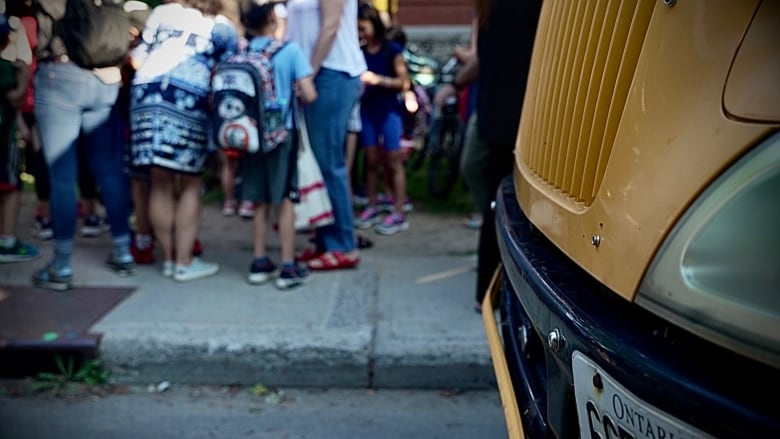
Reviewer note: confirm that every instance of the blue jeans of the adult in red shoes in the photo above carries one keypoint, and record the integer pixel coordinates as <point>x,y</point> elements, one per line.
<point>327,119</point>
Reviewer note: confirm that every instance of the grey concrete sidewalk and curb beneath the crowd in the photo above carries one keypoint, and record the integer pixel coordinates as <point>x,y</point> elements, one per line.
<point>402,319</point>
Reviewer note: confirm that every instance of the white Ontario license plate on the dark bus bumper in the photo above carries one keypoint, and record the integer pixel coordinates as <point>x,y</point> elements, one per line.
<point>607,410</point>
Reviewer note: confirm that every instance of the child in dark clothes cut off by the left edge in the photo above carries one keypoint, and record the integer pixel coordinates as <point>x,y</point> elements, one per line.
<point>13,87</point>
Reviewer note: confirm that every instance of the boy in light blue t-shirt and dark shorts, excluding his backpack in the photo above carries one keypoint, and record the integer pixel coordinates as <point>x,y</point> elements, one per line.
<point>269,178</point>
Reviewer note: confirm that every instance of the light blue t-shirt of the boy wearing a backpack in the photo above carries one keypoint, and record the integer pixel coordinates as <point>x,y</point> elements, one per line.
<point>290,65</point>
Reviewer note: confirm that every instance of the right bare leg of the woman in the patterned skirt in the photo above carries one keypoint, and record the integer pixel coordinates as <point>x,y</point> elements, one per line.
<point>187,220</point>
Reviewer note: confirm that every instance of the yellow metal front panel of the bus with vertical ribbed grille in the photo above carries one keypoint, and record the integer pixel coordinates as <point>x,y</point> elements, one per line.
<point>651,152</point>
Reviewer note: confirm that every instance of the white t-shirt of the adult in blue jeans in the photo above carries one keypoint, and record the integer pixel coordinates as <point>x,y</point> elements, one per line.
<point>303,27</point>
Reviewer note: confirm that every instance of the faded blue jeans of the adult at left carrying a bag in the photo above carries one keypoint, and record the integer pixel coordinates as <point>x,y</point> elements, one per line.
<point>69,102</point>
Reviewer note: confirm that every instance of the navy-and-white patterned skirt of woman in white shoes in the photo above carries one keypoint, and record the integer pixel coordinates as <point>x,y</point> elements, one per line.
<point>169,127</point>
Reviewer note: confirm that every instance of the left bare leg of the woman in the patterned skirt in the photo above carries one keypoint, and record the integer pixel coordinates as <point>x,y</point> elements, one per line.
<point>162,208</point>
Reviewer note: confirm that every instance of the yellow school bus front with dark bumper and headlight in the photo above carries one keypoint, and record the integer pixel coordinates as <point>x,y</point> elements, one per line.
<point>639,288</point>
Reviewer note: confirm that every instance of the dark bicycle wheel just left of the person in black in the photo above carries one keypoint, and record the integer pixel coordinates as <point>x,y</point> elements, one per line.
<point>444,162</point>
